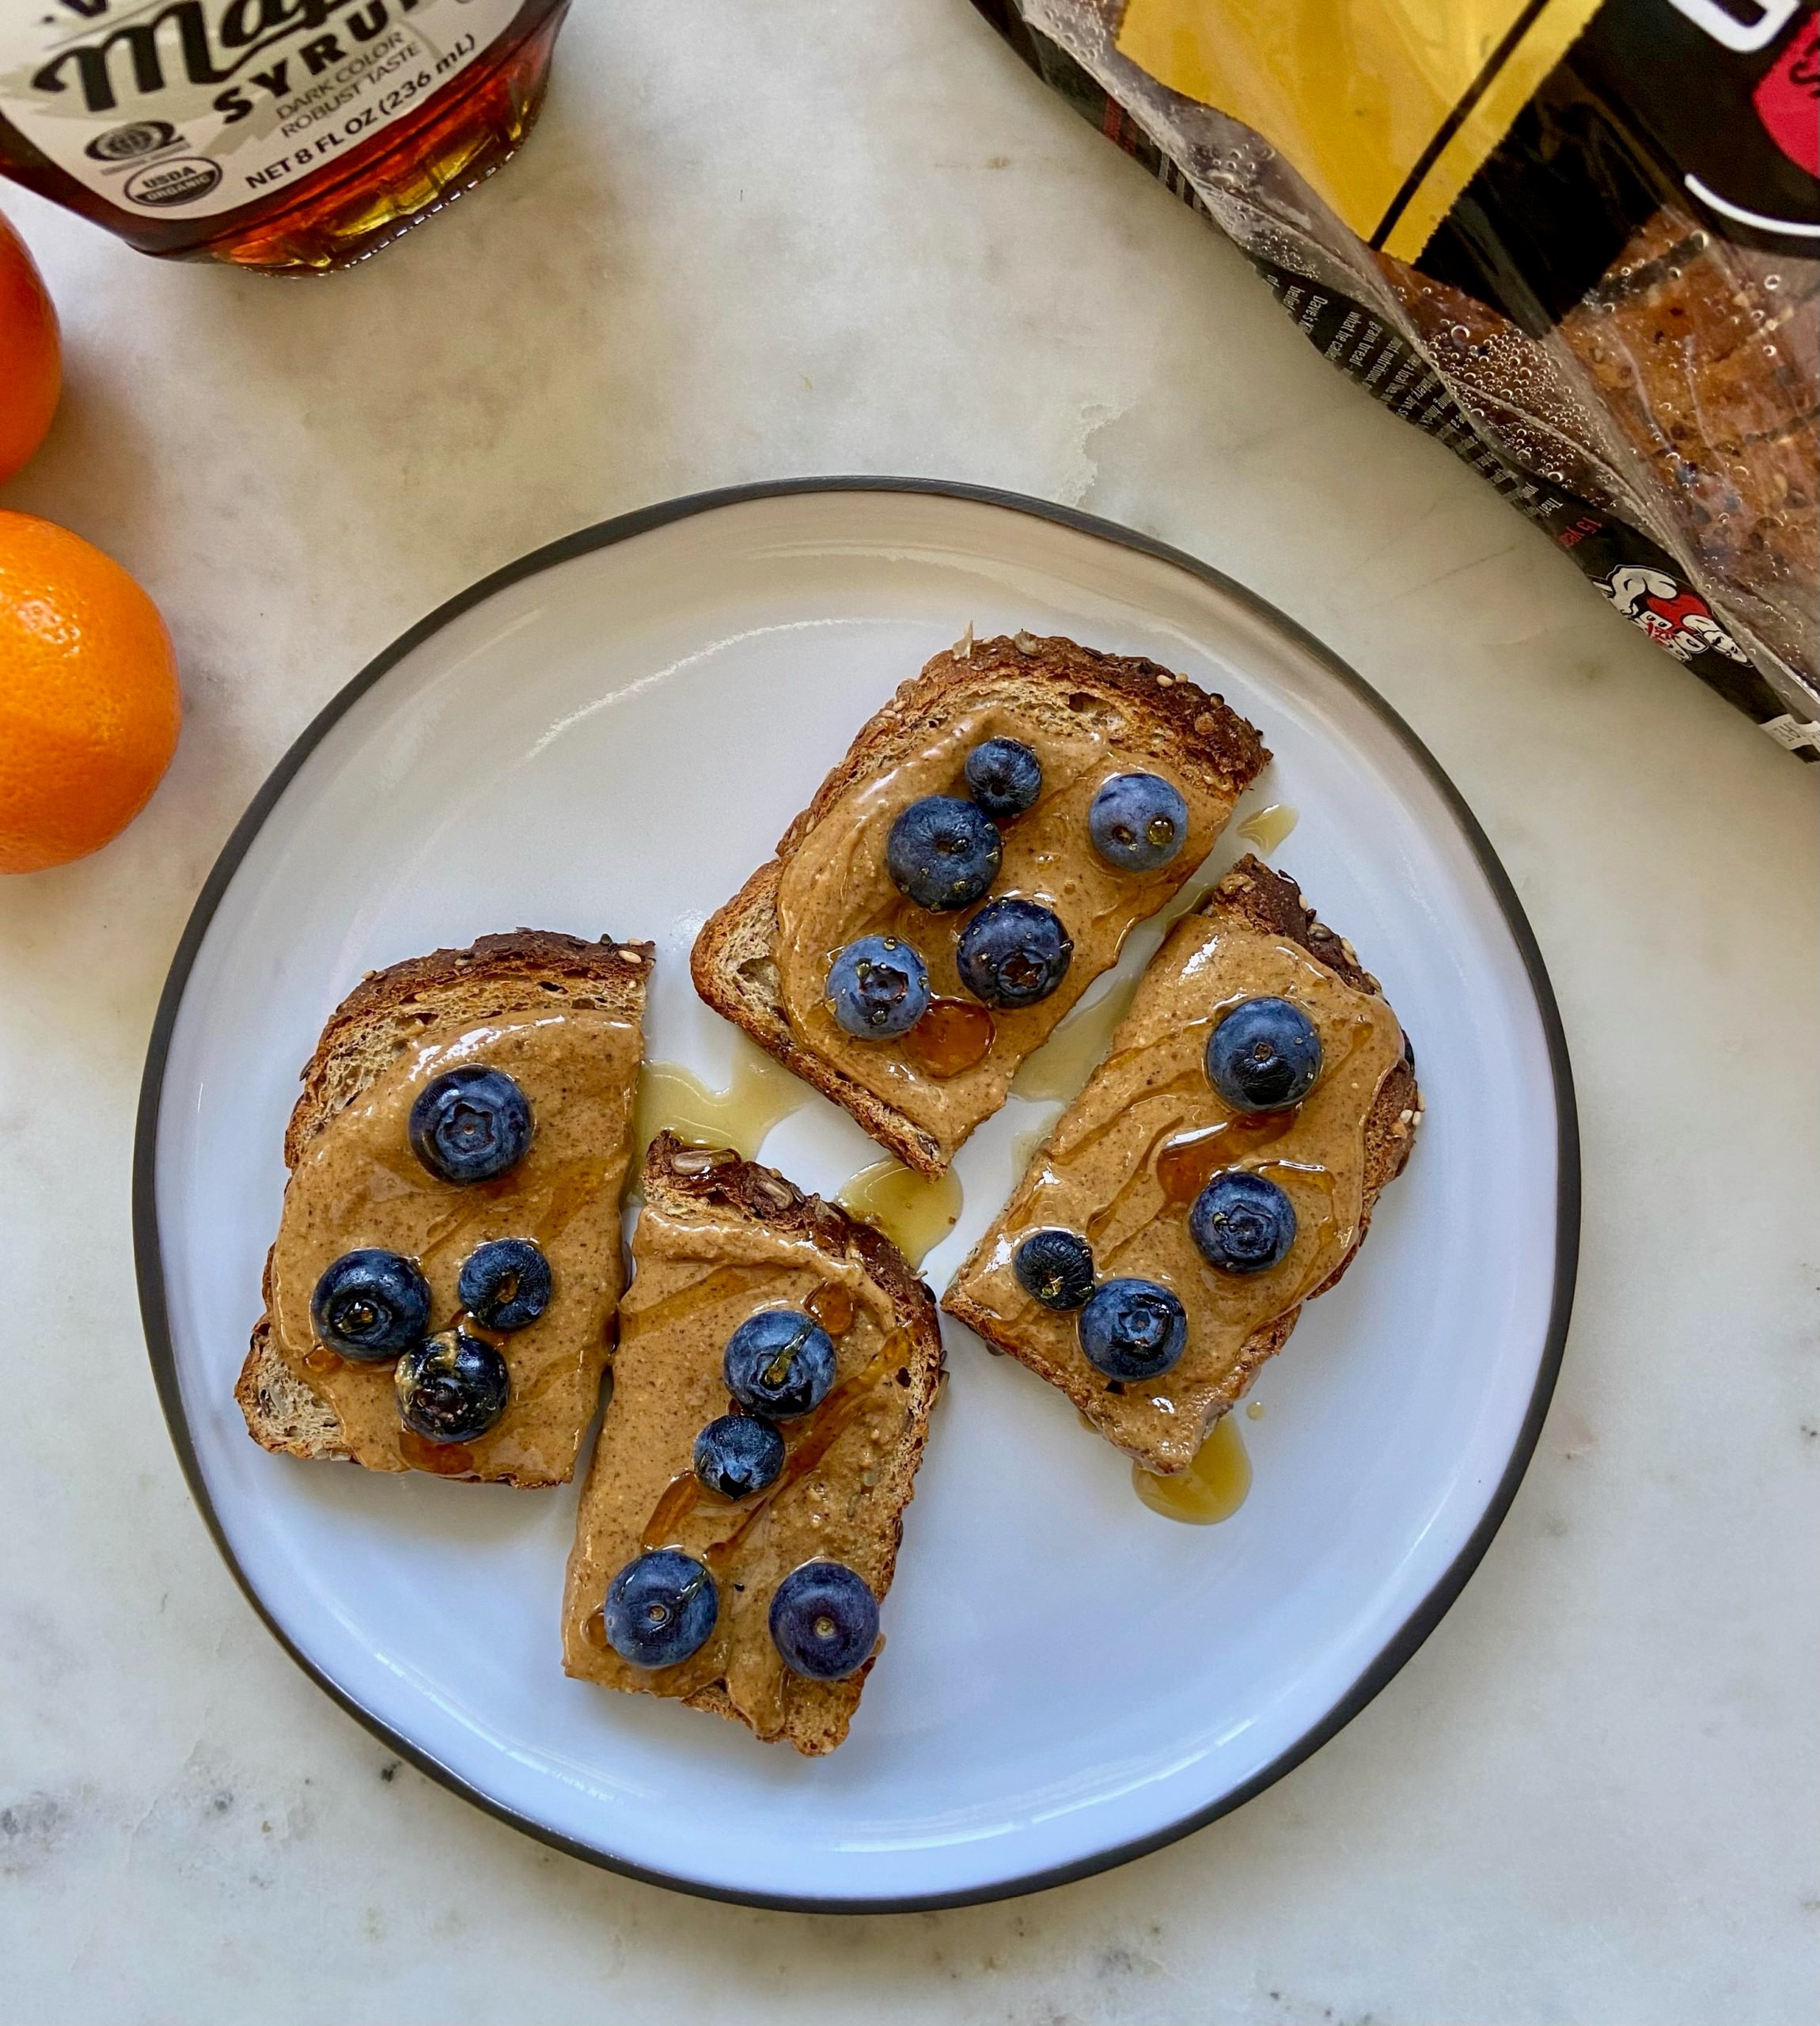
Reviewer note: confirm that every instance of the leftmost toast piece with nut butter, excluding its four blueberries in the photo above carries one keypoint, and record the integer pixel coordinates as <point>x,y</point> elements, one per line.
<point>564,1018</point>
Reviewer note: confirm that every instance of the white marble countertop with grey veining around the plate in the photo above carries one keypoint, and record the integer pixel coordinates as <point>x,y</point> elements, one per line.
<point>761,242</point>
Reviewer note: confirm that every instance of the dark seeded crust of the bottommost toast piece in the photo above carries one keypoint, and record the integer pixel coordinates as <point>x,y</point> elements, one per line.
<point>680,1178</point>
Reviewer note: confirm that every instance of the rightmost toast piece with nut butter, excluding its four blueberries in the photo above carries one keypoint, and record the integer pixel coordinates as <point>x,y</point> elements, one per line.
<point>1136,1148</point>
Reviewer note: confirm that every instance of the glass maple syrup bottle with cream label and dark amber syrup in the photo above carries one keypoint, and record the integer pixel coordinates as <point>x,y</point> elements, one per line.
<point>293,137</point>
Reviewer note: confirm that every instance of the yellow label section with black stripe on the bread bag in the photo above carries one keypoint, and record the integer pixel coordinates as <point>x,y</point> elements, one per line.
<point>1387,108</point>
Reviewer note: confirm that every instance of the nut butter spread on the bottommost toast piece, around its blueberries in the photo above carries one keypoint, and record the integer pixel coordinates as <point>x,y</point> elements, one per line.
<point>696,1277</point>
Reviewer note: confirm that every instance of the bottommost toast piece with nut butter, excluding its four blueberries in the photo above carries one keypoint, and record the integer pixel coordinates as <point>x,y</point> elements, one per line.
<point>718,1241</point>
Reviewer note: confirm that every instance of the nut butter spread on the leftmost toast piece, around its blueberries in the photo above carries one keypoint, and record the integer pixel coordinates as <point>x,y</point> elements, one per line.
<point>360,1184</point>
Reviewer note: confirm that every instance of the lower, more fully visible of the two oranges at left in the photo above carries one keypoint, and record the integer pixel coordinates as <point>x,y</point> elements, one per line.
<point>88,696</point>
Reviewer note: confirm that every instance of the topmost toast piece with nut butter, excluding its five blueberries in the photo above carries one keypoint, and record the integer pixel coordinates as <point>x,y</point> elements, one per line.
<point>763,957</point>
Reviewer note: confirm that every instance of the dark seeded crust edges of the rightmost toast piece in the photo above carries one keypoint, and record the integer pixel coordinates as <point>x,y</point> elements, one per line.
<point>1270,903</point>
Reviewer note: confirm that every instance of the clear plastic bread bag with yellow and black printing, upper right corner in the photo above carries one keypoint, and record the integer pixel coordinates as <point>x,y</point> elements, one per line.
<point>1578,242</point>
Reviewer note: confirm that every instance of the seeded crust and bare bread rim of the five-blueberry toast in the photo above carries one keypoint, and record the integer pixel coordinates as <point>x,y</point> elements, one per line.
<point>735,957</point>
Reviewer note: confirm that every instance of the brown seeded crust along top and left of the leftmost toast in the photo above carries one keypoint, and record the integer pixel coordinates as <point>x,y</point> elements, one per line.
<point>368,1032</point>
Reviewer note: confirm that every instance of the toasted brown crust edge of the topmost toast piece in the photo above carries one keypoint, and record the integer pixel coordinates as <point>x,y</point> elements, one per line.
<point>1207,732</point>
